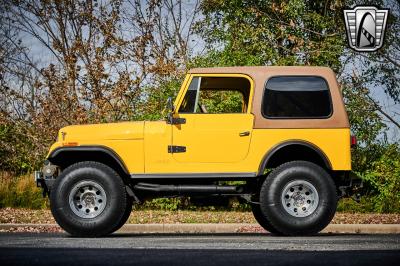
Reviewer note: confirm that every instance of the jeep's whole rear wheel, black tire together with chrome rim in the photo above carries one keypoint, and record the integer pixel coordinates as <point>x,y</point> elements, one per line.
<point>299,198</point>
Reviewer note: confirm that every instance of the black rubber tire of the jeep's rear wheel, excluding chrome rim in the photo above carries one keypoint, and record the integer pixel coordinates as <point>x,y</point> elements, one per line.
<point>271,202</point>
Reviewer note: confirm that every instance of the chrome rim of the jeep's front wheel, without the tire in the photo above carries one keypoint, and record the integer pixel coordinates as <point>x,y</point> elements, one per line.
<point>87,199</point>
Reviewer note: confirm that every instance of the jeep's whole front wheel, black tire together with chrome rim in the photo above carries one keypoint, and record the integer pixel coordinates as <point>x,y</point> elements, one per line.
<point>88,199</point>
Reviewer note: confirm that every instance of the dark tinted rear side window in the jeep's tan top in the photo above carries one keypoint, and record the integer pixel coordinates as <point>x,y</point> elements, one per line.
<point>296,97</point>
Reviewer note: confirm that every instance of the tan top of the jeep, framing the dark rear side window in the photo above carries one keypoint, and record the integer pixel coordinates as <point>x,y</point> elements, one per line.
<point>260,74</point>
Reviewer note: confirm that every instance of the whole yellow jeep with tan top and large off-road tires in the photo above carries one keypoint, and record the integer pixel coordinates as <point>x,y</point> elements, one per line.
<point>282,131</point>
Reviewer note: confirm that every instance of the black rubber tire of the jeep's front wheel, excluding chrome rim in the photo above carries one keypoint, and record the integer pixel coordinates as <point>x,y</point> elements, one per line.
<point>115,204</point>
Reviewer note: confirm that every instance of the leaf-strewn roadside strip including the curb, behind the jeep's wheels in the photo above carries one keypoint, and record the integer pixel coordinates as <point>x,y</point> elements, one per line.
<point>40,221</point>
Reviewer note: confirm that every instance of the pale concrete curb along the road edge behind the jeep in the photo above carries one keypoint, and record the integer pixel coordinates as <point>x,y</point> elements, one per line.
<point>226,228</point>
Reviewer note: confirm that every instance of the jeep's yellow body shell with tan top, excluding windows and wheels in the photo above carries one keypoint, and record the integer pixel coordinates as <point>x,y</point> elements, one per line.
<point>218,145</point>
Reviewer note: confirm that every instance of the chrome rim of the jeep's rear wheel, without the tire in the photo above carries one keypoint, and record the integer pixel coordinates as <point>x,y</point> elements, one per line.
<point>300,198</point>
